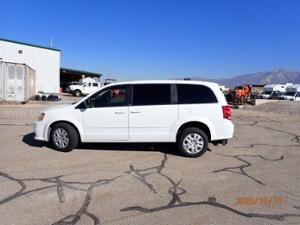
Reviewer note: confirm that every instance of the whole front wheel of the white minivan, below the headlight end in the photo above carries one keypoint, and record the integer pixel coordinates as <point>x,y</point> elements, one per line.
<point>64,137</point>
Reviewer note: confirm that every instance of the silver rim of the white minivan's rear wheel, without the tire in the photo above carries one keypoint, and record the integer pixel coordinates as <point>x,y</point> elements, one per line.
<point>193,143</point>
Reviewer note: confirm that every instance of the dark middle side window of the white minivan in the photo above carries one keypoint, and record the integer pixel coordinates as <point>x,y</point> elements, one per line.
<point>151,94</point>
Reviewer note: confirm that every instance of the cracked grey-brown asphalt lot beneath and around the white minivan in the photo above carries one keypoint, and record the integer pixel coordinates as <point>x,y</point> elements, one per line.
<point>252,180</point>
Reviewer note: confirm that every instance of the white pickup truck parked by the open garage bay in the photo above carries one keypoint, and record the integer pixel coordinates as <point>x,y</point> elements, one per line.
<point>85,86</point>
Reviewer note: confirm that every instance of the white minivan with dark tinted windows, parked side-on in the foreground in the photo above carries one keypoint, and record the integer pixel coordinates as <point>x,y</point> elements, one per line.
<point>189,113</point>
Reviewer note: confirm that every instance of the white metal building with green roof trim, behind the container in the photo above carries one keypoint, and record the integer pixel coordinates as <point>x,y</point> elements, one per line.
<point>45,61</point>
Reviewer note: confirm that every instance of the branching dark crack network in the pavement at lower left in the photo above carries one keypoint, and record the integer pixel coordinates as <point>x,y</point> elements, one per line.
<point>60,185</point>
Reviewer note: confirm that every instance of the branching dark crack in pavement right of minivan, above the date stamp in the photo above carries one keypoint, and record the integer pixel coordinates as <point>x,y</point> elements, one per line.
<point>241,168</point>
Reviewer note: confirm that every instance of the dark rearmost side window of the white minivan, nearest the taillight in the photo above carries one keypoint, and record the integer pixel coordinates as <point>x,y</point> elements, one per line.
<point>192,94</point>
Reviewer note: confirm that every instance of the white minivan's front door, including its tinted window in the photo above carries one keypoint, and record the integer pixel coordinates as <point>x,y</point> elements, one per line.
<point>106,118</point>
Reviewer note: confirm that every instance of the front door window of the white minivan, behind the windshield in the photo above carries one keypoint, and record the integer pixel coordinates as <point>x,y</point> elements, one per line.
<point>110,97</point>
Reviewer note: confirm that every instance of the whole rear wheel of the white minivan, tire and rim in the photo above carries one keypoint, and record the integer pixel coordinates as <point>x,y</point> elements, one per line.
<point>193,142</point>
